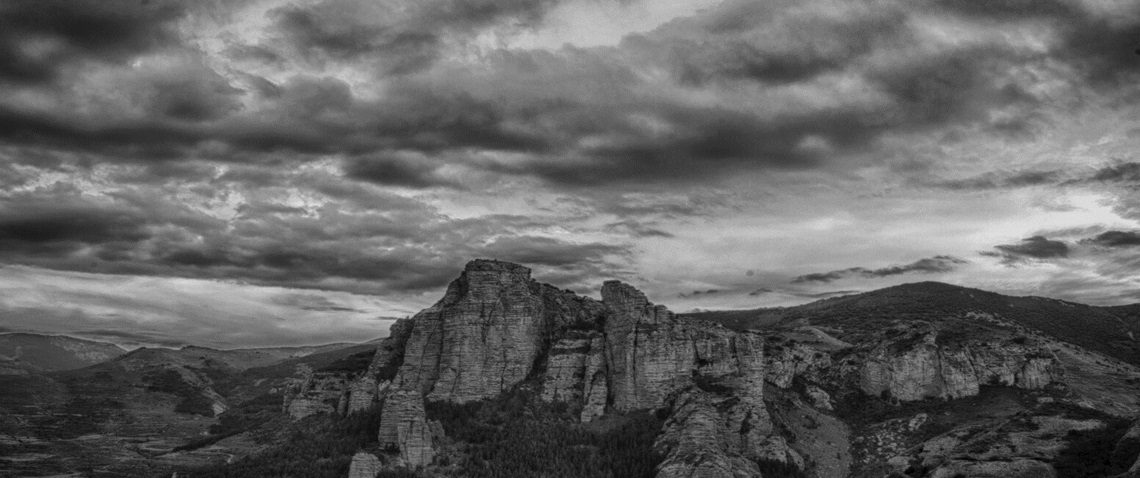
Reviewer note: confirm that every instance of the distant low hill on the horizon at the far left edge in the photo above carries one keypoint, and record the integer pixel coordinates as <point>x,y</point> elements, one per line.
<point>30,353</point>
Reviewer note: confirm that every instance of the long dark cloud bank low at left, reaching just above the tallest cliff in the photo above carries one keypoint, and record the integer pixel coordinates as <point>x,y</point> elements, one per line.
<point>368,241</point>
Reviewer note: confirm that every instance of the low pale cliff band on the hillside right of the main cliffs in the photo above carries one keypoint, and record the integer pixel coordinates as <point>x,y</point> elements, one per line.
<point>927,370</point>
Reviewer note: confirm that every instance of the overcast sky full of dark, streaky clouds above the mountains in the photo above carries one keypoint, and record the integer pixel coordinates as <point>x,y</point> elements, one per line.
<point>263,173</point>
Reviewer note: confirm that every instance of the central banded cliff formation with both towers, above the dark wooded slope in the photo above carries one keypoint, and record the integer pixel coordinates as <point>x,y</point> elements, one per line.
<point>496,328</point>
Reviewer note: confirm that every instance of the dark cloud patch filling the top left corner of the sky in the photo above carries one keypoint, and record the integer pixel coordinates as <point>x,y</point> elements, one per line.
<point>38,38</point>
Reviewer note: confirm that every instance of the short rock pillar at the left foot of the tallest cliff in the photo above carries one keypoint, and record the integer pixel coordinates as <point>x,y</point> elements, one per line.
<point>404,428</point>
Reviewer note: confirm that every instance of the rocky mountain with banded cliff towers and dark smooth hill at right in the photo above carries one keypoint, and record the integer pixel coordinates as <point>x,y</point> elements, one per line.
<point>918,380</point>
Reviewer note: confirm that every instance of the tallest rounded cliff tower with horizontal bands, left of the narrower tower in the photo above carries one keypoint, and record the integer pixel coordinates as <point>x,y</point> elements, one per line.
<point>485,335</point>
